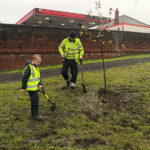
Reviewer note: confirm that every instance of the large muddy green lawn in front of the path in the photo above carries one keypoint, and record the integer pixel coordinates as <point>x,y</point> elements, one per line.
<point>81,121</point>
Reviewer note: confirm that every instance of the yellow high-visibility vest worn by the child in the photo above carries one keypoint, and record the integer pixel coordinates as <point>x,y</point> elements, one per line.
<point>34,79</point>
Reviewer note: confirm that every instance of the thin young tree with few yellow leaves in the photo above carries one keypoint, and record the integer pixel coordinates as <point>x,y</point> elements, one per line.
<point>102,38</point>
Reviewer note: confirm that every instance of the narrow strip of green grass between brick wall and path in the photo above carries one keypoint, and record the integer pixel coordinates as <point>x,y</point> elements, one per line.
<point>85,62</point>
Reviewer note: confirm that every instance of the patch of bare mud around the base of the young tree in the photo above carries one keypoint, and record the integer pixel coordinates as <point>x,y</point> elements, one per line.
<point>106,103</point>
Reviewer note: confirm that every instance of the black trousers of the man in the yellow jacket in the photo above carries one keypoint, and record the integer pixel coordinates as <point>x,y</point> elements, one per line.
<point>74,70</point>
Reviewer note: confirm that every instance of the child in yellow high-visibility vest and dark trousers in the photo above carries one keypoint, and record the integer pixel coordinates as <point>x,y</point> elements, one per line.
<point>31,81</point>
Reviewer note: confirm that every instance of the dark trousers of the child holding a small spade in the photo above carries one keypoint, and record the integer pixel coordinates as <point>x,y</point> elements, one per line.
<point>34,97</point>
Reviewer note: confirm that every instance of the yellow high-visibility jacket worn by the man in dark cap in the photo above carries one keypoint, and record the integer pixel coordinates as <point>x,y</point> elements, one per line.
<point>71,50</point>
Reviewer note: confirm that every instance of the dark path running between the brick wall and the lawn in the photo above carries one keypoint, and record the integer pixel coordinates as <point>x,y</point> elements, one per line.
<point>5,78</point>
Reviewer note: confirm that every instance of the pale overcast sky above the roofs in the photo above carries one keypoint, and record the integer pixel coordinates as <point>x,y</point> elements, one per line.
<point>12,11</point>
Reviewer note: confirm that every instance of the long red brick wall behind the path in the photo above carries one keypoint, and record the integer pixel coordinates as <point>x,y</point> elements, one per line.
<point>19,42</point>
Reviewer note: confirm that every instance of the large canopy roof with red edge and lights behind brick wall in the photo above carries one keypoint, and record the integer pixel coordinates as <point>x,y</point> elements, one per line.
<point>53,18</point>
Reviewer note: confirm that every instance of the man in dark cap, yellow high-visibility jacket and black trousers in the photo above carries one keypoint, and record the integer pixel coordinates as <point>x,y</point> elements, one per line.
<point>71,51</point>
